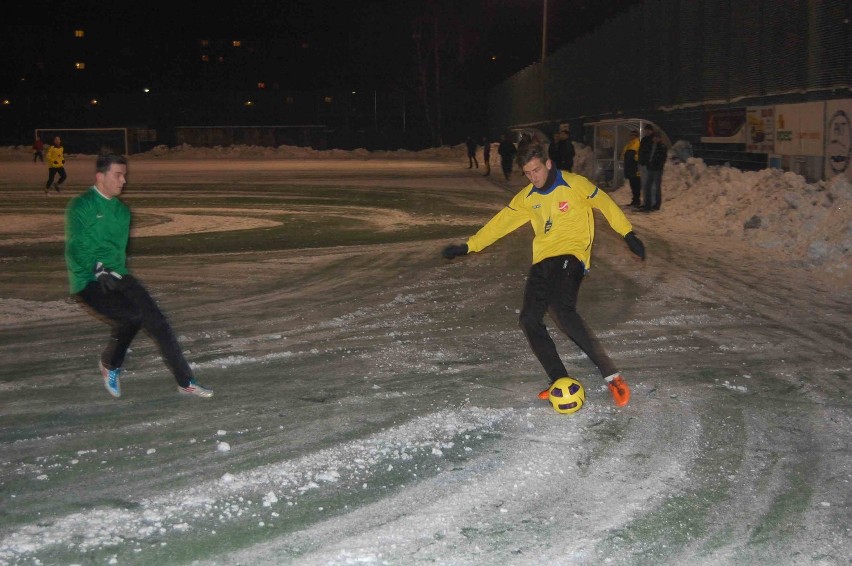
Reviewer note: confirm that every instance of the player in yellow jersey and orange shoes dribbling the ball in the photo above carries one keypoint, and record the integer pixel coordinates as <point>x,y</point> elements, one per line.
<point>560,206</point>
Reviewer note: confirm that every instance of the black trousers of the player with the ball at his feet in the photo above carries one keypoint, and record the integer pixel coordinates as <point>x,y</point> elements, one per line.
<point>552,287</point>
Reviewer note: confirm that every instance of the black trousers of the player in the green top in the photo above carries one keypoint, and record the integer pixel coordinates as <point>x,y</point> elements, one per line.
<point>127,310</point>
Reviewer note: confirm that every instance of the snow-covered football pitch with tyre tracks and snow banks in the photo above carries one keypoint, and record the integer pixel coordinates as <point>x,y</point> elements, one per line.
<point>376,404</point>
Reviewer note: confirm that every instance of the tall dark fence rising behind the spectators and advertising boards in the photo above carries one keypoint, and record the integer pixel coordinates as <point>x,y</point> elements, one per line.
<point>669,60</point>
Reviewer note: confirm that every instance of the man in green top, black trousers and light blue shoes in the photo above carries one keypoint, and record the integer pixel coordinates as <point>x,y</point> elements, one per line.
<point>97,229</point>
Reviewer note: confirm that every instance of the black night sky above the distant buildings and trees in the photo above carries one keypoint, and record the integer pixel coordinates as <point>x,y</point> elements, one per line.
<point>301,43</point>
